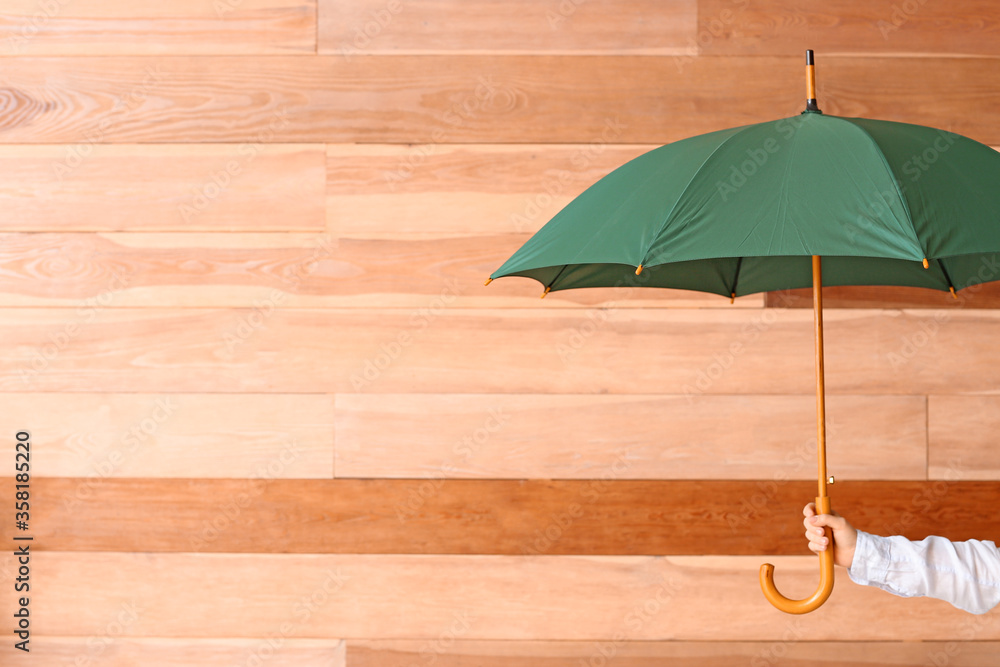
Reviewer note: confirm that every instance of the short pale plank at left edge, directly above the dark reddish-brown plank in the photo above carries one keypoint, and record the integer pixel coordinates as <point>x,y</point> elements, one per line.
<point>99,436</point>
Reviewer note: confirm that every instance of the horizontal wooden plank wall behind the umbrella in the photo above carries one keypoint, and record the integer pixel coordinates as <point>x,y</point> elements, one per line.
<point>277,419</point>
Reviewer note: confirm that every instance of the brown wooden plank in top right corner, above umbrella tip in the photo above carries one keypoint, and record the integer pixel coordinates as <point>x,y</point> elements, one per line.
<point>847,27</point>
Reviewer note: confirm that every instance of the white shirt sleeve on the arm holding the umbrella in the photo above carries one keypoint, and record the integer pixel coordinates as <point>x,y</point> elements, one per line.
<point>965,574</point>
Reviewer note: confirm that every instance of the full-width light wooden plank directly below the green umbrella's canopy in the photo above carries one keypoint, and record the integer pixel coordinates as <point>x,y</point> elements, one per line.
<point>441,350</point>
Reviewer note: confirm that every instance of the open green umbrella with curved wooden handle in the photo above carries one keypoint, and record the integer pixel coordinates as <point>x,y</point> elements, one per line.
<point>754,208</point>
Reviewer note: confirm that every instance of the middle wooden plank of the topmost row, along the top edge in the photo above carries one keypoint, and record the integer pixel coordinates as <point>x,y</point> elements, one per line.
<point>352,27</point>
